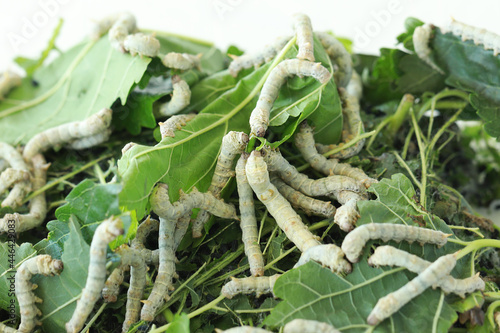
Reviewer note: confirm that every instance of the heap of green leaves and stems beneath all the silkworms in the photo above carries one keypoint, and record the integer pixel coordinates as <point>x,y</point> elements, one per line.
<point>430,174</point>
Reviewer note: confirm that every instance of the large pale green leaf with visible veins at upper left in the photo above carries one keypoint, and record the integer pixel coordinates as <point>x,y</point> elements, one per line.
<point>79,83</point>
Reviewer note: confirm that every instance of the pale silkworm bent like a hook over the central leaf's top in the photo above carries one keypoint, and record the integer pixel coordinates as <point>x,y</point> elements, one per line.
<point>259,119</point>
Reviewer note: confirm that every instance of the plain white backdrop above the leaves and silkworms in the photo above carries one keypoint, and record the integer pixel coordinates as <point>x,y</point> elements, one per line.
<point>26,25</point>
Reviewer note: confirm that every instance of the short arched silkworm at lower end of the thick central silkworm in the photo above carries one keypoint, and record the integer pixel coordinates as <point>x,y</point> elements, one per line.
<point>328,255</point>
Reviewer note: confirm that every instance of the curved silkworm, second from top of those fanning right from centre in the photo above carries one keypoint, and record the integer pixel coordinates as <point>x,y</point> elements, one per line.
<point>327,186</point>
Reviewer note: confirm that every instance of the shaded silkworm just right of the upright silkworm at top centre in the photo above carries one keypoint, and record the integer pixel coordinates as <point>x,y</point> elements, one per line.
<point>341,59</point>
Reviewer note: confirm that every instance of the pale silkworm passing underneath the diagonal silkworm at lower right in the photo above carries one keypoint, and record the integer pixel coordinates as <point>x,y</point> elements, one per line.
<point>391,256</point>
